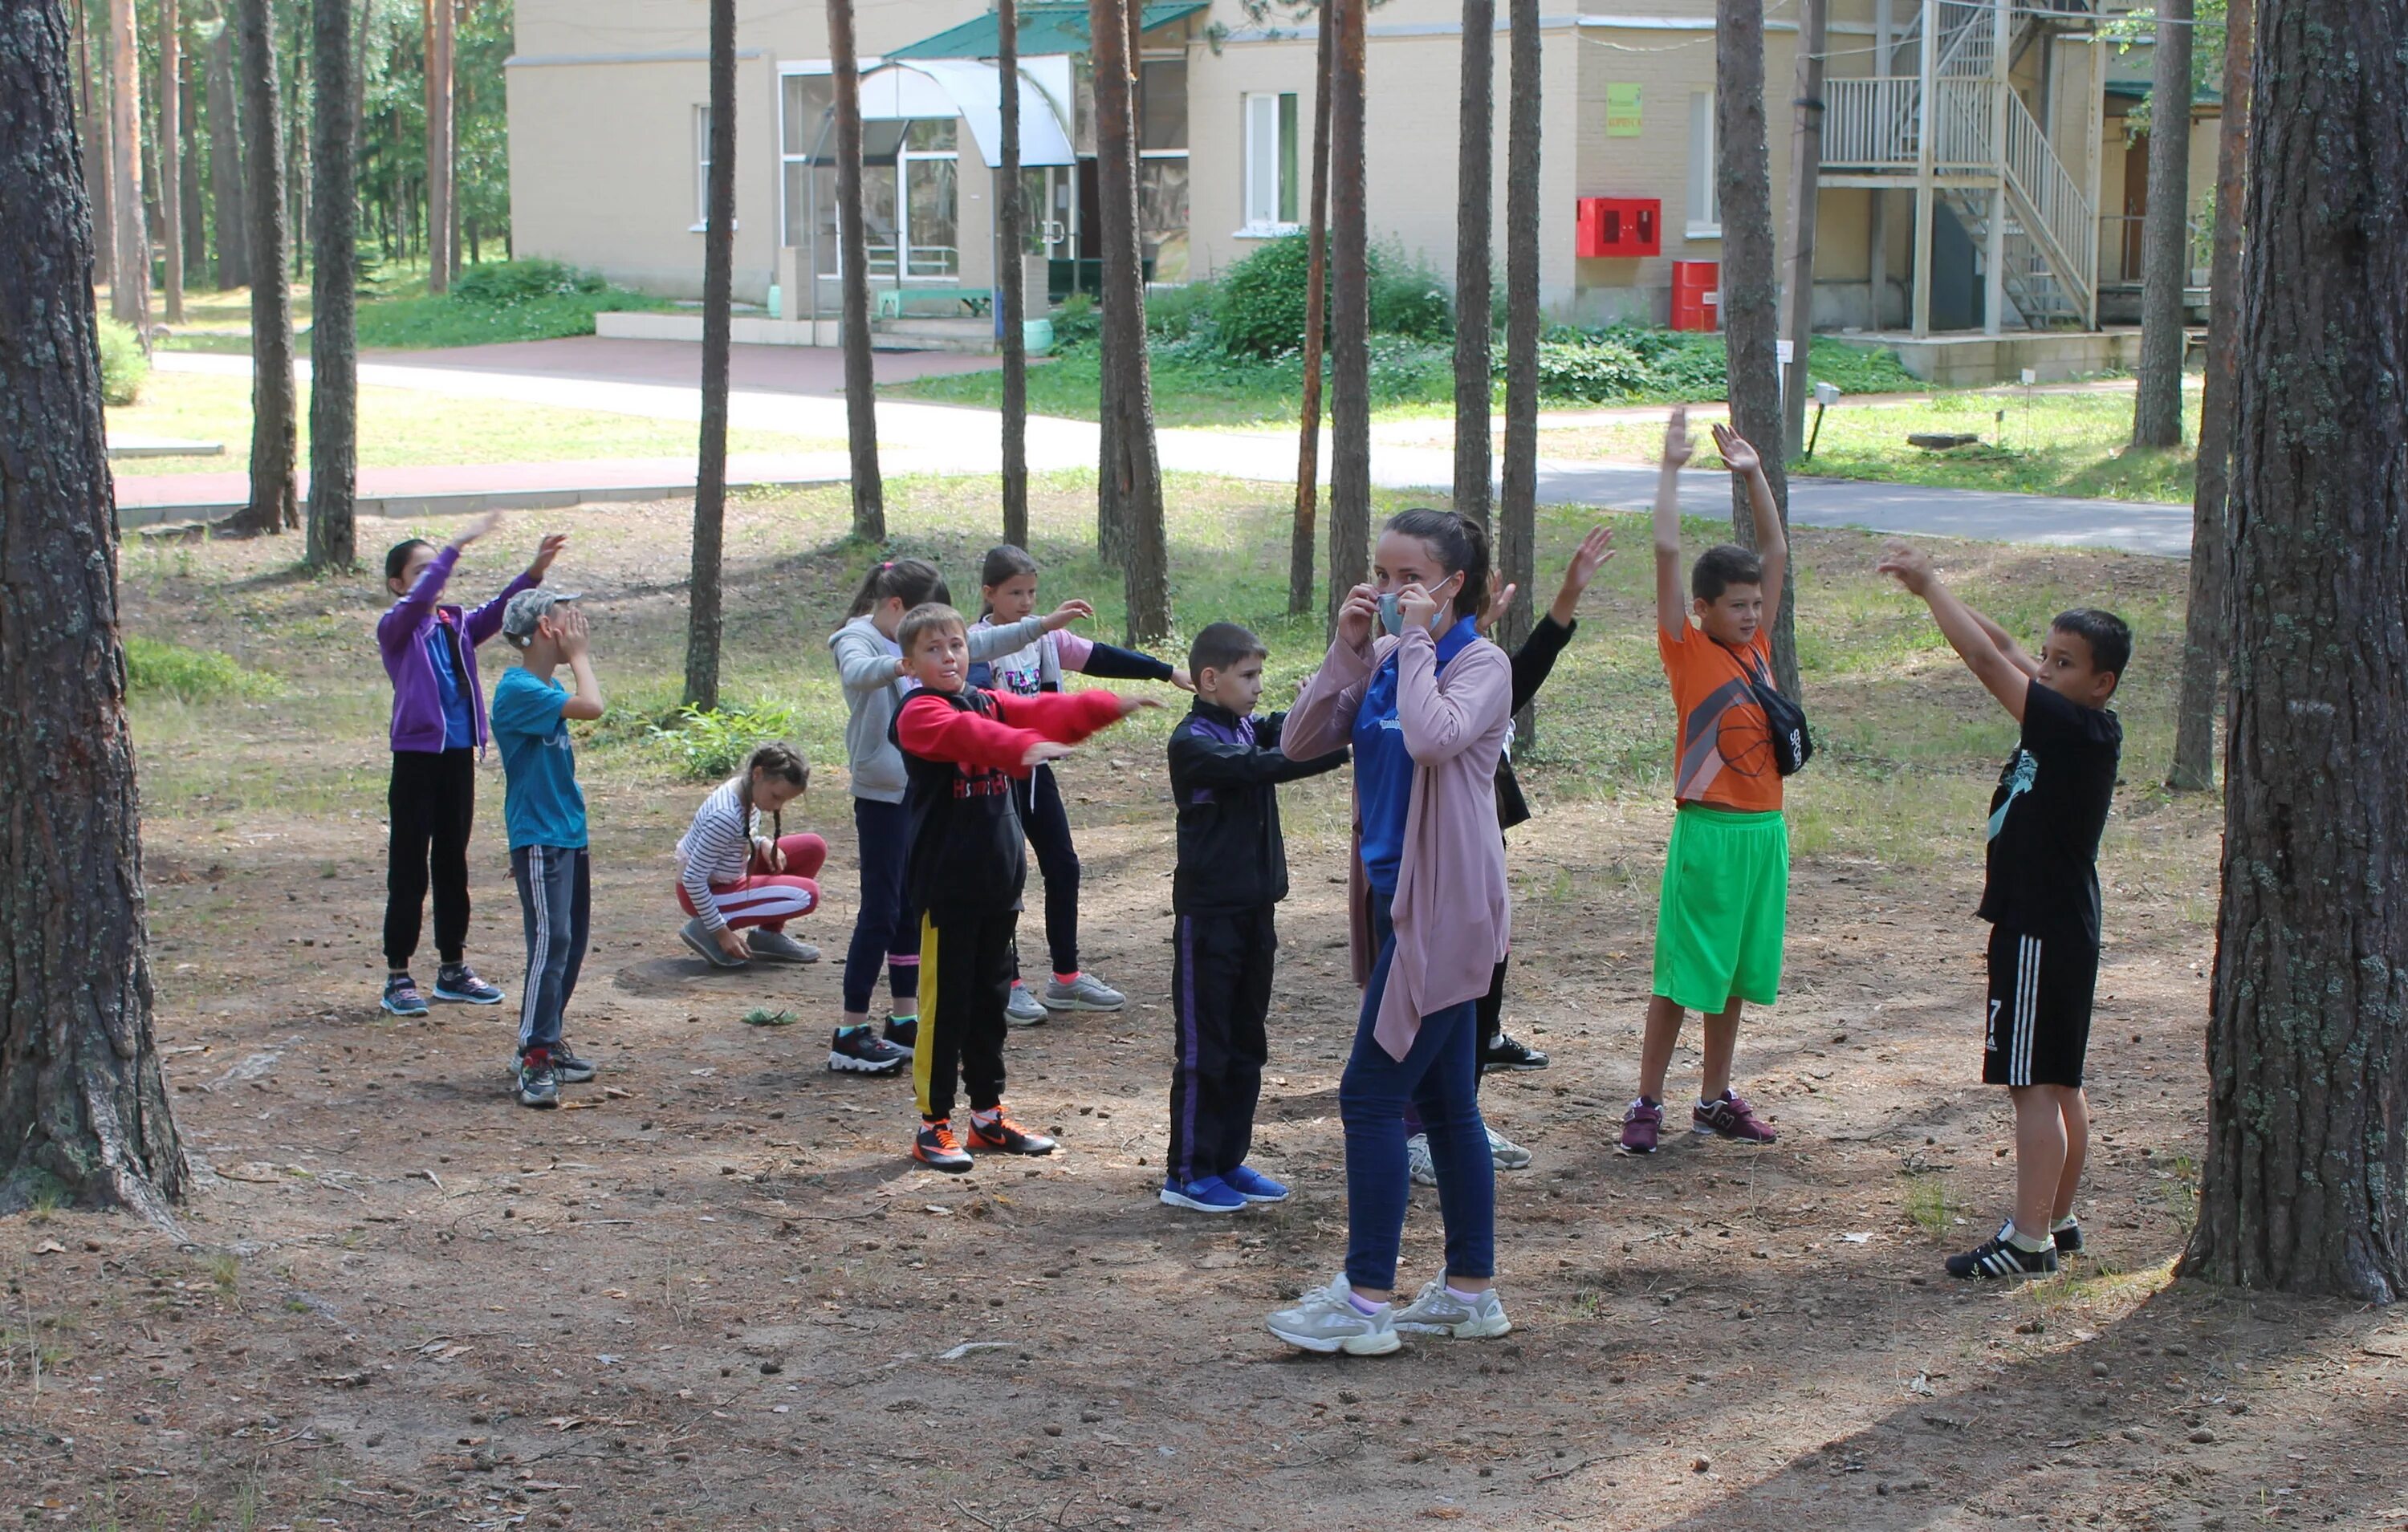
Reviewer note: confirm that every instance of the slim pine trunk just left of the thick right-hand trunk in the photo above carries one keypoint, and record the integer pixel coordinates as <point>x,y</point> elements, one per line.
<point>2207,625</point>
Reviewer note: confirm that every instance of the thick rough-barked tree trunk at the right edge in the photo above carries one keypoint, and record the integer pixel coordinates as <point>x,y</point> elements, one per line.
<point>2306,1184</point>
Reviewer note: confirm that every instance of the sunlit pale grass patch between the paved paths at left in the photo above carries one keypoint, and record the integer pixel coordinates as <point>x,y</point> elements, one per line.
<point>408,428</point>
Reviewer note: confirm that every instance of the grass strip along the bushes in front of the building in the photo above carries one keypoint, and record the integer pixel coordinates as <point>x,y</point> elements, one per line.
<point>1200,387</point>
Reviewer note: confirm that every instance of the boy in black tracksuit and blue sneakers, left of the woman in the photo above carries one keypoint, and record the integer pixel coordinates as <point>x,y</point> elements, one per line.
<point>1234,871</point>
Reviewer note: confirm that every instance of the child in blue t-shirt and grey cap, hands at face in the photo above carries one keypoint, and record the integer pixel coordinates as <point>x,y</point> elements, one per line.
<point>545,815</point>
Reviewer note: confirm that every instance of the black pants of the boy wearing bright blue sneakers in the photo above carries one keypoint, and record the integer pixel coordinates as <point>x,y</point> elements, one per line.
<point>1220,998</point>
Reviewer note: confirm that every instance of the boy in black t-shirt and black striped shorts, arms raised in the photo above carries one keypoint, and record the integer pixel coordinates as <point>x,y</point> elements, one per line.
<point>2041,897</point>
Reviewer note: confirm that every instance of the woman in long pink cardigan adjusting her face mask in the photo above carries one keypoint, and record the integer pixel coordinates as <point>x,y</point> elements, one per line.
<point>1427,712</point>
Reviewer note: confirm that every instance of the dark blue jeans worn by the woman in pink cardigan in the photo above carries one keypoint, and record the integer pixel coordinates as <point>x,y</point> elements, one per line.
<point>1439,1078</point>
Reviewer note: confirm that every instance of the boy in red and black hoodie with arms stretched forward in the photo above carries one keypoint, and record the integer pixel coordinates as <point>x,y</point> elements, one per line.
<point>962,748</point>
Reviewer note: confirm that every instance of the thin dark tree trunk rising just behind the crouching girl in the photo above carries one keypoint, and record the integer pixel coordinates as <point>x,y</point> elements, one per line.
<point>719,319</point>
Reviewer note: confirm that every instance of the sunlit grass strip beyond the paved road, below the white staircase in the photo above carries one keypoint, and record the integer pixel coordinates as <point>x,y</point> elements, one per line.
<point>2050,444</point>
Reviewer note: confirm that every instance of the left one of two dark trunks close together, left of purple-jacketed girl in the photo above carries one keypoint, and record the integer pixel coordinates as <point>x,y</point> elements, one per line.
<point>273,428</point>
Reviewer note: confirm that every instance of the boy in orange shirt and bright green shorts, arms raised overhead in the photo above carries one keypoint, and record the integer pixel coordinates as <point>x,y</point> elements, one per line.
<point>1728,866</point>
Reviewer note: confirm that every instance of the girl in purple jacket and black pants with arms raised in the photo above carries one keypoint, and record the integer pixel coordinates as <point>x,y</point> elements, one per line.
<point>437,738</point>
